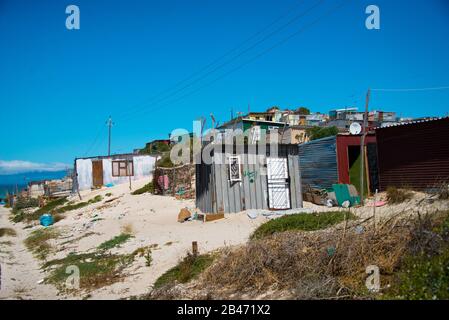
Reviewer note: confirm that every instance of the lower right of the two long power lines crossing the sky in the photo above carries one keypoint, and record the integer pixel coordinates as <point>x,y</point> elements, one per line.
<point>334,9</point>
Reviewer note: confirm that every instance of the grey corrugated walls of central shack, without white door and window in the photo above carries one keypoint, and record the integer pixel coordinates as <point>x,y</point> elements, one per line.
<point>215,193</point>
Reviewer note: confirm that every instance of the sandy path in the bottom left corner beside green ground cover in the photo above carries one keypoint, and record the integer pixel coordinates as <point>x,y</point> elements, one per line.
<point>20,273</point>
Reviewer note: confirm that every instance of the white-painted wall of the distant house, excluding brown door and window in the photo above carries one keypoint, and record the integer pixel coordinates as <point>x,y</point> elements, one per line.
<point>143,168</point>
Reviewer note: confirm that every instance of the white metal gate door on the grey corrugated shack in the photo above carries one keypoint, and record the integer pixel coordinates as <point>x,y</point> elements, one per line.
<point>278,184</point>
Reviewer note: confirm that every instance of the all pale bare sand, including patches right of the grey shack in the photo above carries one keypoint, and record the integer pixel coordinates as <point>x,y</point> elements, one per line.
<point>153,220</point>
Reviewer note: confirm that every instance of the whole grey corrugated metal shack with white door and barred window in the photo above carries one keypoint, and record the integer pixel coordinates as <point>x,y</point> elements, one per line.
<point>248,177</point>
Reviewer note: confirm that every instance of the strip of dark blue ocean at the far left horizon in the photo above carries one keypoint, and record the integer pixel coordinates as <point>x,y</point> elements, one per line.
<point>8,182</point>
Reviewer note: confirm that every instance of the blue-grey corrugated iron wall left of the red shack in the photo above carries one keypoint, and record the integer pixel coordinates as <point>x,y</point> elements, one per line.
<point>318,163</point>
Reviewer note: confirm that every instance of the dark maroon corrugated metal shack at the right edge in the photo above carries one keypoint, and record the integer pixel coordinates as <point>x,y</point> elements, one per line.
<point>414,155</point>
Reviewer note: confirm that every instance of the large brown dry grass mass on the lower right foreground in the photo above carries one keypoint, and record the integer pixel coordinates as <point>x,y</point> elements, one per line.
<point>321,264</point>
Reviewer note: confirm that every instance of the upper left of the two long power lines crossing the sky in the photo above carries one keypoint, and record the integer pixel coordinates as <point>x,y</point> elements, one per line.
<point>227,62</point>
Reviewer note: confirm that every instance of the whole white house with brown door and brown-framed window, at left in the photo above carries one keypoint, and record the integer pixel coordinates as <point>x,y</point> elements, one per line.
<point>95,172</point>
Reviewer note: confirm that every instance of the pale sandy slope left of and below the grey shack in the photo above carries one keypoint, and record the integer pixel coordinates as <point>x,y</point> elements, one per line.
<point>153,220</point>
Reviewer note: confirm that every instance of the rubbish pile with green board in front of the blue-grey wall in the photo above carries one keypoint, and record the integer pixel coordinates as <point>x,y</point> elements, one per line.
<point>340,195</point>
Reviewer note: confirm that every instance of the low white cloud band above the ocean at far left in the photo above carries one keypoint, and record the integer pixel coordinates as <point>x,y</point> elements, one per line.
<point>20,166</point>
